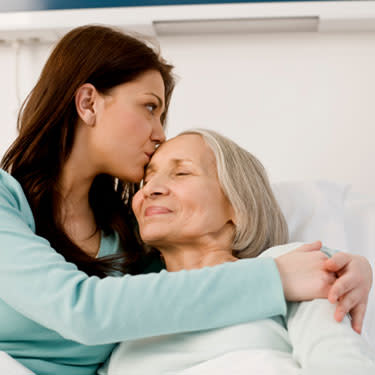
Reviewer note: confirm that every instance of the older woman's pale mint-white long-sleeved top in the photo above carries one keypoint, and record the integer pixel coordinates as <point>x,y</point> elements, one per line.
<point>308,339</point>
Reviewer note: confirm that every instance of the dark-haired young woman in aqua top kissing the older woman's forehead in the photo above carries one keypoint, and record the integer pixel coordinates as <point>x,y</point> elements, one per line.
<point>86,133</point>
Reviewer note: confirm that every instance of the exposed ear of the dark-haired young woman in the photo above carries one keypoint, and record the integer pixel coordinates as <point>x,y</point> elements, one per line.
<point>86,103</point>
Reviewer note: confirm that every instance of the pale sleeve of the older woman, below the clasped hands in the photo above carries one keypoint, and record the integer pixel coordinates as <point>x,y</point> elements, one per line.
<point>321,344</point>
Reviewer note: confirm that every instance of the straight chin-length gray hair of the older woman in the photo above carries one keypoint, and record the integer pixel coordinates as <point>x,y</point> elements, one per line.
<point>259,222</point>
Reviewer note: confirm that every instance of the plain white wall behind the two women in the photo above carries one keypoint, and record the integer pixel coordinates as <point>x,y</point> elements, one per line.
<point>302,102</point>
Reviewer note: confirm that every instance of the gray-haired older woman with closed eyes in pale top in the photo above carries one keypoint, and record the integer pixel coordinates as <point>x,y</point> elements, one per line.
<point>206,201</point>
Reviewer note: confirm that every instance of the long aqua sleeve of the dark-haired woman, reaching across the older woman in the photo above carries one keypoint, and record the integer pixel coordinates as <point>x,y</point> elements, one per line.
<point>37,282</point>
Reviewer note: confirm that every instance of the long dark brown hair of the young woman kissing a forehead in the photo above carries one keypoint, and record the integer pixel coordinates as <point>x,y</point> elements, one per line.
<point>105,58</point>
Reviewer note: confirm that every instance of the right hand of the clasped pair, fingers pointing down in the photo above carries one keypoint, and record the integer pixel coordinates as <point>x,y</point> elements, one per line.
<point>351,289</point>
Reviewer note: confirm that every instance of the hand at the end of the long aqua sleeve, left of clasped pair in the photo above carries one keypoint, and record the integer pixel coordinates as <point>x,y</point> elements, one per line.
<point>303,273</point>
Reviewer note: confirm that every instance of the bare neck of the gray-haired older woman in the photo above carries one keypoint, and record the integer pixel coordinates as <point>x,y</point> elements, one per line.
<point>188,257</point>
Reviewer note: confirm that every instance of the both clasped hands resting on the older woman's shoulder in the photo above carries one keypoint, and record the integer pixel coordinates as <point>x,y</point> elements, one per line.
<point>345,279</point>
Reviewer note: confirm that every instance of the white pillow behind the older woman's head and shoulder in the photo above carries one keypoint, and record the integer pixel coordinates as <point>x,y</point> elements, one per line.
<point>341,219</point>
